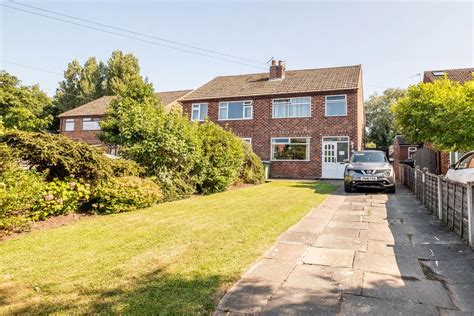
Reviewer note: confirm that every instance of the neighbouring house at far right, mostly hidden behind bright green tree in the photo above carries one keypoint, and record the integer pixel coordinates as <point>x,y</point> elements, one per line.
<point>445,159</point>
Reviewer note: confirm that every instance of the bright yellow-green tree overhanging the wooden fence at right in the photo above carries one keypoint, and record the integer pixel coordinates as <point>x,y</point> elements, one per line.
<point>441,113</point>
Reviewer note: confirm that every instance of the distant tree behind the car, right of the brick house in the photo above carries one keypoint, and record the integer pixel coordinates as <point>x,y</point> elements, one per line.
<point>379,119</point>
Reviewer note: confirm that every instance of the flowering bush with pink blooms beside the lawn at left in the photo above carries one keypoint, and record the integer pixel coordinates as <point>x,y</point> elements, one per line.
<point>60,197</point>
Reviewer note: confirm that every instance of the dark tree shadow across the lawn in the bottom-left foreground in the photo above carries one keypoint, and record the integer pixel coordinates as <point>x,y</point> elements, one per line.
<point>155,293</point>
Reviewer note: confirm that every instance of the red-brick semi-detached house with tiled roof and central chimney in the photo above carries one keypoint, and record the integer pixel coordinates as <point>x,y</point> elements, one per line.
<point>306,122</point>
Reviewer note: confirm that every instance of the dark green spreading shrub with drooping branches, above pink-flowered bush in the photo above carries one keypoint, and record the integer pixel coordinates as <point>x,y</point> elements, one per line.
<point>59,156</point>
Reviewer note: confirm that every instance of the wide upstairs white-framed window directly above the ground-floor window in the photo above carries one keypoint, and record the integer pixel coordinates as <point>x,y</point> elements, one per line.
<point>291,107</point>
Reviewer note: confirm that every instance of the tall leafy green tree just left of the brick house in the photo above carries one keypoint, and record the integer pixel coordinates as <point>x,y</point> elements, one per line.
<point>166,145</point>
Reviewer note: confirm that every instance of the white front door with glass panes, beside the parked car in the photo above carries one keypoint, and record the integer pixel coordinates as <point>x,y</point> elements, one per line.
<point>335,150</point>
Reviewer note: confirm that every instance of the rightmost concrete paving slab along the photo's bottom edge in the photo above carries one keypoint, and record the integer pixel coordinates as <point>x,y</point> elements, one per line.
<point>361,305</point>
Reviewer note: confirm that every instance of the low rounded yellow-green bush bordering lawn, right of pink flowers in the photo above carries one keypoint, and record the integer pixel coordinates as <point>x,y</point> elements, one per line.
<point>125,194</point>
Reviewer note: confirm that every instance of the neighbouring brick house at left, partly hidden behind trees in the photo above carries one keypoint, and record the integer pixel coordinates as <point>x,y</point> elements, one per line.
<point>82,123</point>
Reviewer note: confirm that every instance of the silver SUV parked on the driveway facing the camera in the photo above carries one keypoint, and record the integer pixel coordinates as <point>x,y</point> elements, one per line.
<point>369,169</point>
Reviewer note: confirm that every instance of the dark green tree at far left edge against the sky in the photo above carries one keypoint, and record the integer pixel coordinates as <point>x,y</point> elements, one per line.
<point>21,107</point>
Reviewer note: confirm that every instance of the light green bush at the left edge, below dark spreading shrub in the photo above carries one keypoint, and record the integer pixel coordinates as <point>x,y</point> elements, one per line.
<point>19,192</point>
